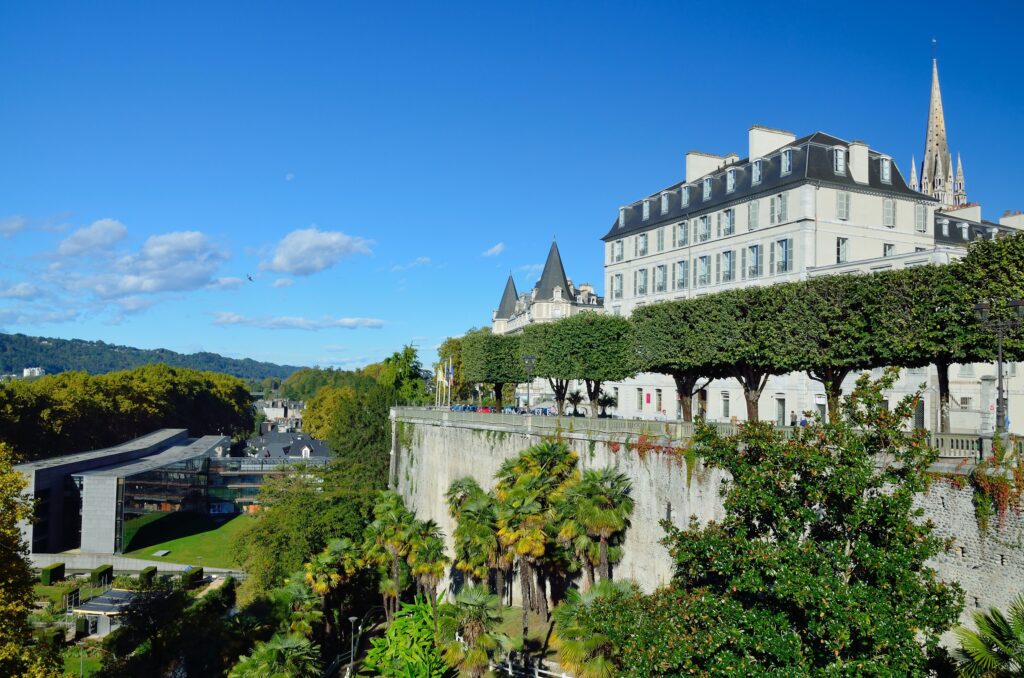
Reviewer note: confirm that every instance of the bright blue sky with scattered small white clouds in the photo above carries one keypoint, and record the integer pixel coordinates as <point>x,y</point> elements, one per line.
<point>378,169</point>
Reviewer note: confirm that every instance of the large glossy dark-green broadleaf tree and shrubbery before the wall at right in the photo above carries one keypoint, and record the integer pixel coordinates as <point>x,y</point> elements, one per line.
<point>820,566</point>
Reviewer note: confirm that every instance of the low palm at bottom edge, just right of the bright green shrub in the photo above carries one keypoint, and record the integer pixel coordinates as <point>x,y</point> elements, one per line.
<point>466,635</point>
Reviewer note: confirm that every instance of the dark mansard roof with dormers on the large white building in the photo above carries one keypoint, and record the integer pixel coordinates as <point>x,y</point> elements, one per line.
<point>813,163</point>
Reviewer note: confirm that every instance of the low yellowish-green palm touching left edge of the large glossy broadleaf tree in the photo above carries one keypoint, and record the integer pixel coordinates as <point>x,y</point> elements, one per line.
<point>580,650</point>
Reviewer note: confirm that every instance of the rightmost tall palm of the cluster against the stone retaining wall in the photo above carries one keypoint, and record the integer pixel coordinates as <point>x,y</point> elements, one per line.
<point>604,505</point>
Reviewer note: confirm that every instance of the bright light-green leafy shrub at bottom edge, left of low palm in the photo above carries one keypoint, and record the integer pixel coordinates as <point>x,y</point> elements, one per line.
<point>408,649</point>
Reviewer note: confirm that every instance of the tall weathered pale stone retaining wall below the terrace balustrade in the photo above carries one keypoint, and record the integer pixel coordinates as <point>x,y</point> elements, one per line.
<point>428,457</point>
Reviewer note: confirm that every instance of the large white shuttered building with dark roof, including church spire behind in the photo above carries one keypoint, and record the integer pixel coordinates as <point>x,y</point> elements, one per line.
<point>791,210</point>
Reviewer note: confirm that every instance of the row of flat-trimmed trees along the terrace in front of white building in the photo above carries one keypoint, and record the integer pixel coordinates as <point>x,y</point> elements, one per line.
<point>829,327</point>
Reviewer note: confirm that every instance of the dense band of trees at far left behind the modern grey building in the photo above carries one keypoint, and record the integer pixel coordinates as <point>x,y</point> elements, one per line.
<point>72,412</point>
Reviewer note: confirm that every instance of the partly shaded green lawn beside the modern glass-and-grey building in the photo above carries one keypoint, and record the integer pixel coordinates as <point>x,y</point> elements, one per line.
<point>192,539</point>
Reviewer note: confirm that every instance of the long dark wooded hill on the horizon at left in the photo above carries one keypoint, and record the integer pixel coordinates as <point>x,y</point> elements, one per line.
<point>19,351</point>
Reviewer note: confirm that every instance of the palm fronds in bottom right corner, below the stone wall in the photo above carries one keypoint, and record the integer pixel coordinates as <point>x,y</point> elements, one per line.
<point>997,650</point>
